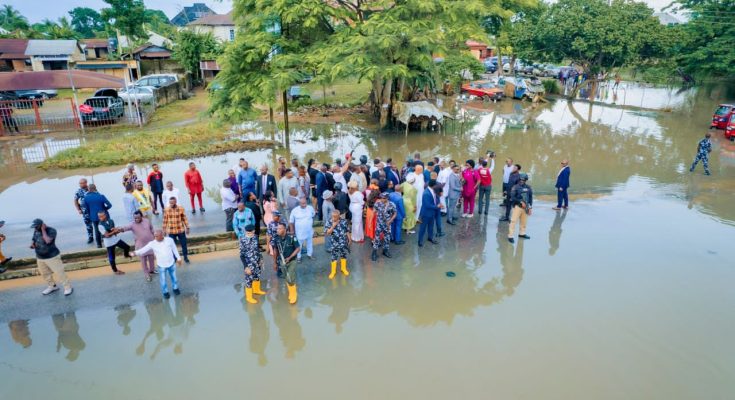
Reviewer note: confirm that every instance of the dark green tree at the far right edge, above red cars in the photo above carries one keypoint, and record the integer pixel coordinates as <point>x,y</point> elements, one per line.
<point>708,42</point>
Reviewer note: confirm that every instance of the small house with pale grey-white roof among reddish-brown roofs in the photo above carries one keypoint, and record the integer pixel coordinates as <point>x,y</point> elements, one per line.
<point>49,55</point>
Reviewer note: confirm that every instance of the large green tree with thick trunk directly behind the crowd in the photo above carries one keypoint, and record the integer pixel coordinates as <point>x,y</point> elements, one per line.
<point>393,45</point>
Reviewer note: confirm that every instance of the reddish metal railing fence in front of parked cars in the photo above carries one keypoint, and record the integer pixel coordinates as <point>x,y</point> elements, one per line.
<point>57,115</point>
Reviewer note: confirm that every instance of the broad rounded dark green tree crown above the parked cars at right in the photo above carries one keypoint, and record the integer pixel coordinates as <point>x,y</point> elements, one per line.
<point>595,35</point>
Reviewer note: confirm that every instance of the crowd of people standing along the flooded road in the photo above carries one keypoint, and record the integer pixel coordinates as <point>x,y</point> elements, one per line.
<point>356,201</point>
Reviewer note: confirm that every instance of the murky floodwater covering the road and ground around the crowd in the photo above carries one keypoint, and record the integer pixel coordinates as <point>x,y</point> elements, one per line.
<point>626,295</point>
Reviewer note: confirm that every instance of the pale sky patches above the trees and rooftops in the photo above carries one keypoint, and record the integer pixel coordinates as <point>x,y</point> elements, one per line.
<point>37,10</point>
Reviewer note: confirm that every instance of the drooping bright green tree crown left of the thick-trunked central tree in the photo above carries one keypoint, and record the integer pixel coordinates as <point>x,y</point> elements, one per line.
<point>269,53</point>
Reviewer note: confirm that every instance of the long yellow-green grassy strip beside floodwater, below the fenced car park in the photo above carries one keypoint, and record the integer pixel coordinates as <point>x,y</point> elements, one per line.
<point>169,143</point>
